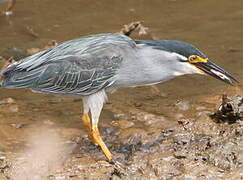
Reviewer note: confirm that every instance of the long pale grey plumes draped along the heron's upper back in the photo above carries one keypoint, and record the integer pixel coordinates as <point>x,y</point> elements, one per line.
<point>94,45</point>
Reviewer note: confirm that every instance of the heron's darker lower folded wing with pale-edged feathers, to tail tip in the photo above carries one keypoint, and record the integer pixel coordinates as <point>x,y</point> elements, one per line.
<point>68,76</point>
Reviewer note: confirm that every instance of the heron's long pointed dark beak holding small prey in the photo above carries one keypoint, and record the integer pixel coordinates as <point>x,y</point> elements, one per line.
<point>216,71</point>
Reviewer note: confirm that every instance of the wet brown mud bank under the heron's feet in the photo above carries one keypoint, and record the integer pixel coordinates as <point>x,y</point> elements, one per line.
<point>147,146</point>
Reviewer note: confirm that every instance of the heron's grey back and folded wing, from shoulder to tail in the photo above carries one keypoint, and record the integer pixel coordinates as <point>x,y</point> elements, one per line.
<point>81,66</point>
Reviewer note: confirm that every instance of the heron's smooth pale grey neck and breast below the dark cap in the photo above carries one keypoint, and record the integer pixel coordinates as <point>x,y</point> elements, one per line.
<point>150,67</point>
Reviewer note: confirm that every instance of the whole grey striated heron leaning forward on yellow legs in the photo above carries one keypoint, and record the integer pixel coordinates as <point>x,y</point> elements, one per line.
<point>91,66</point>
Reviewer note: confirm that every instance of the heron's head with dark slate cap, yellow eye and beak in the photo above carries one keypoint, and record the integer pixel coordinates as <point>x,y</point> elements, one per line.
<point>187,59</point>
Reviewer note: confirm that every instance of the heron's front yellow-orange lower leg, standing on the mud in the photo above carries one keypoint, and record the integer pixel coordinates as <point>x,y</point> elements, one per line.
<point>97,139</point>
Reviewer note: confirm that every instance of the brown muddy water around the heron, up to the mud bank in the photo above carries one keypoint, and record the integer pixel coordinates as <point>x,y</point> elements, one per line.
<point>215,27</point>
